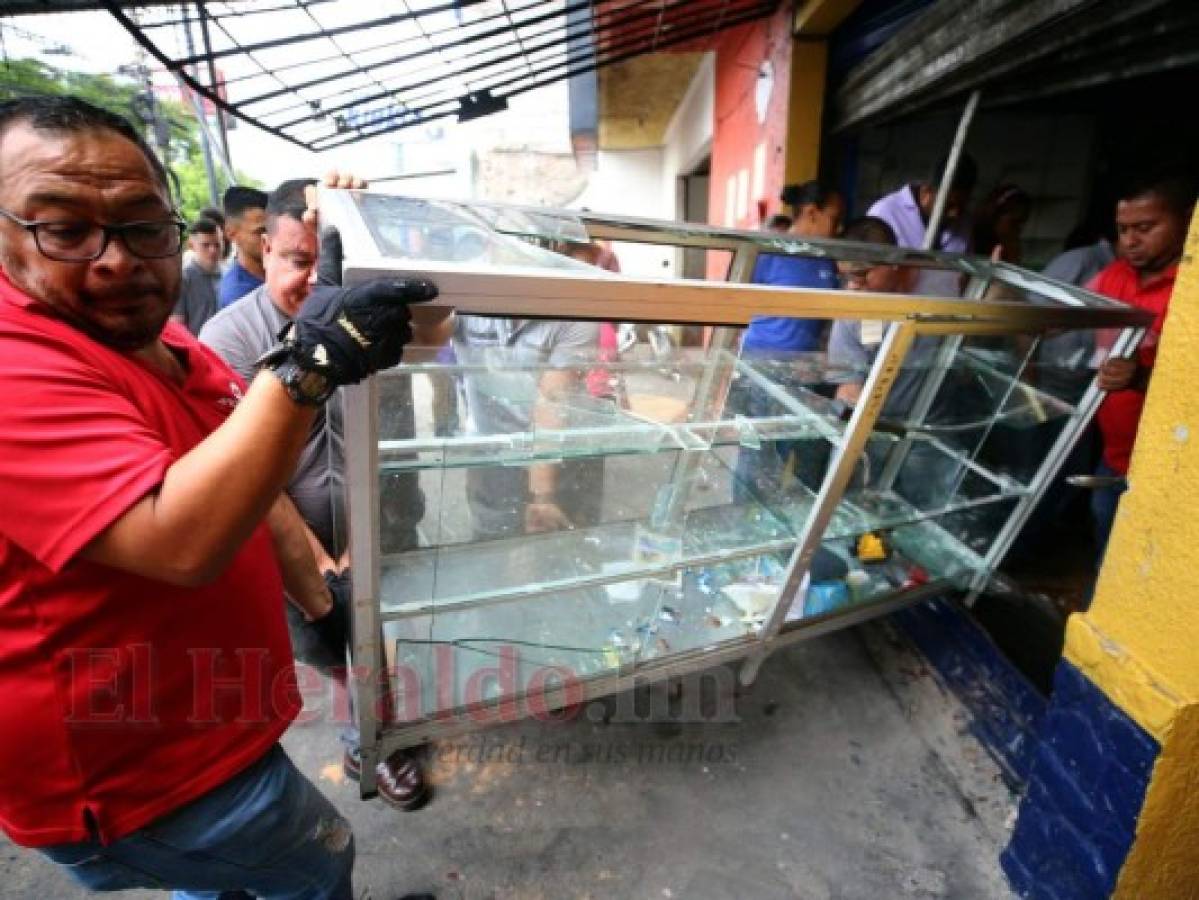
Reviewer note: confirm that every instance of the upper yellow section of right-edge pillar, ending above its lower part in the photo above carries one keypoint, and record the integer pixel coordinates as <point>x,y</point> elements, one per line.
<point>1141,639</point>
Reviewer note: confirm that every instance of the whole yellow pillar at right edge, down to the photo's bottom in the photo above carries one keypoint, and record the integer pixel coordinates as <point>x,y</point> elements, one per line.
<point>1140,643</point>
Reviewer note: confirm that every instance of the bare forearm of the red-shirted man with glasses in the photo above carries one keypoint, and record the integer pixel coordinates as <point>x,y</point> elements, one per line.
<point>213,499</point>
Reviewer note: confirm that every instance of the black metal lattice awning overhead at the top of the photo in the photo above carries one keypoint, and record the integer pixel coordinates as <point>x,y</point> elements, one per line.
<point>329,73</point>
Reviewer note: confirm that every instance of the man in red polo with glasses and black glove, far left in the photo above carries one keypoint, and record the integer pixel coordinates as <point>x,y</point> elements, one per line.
<point>146,668</point>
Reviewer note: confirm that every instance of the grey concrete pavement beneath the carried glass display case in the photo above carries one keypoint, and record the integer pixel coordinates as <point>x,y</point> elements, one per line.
<point>847,774</point>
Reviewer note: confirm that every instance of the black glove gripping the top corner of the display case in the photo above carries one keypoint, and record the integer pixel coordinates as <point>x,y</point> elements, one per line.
<point>347,334</point>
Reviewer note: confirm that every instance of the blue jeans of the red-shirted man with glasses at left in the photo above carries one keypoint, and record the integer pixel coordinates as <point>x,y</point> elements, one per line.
<point>268,833</point>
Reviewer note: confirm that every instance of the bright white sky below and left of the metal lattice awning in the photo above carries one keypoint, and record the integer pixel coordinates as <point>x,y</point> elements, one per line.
<point>95,43</point>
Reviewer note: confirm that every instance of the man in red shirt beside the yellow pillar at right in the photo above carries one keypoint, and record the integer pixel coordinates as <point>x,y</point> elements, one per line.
<point>1152,225</point>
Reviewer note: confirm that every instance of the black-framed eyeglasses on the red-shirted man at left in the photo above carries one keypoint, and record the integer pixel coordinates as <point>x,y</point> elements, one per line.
<point>86,241</point>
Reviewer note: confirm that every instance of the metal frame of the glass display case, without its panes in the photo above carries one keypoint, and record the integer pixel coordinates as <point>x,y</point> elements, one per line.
<point>563,294</point>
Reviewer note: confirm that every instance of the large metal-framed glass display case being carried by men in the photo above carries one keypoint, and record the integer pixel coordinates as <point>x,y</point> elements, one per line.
<point>546,509</point>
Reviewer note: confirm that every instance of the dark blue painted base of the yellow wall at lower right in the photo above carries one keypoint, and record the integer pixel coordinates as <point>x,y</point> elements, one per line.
<point>1083,763</point>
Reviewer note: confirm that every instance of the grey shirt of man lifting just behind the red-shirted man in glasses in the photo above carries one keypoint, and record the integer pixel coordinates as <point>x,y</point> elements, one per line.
<point>243,333</point>
